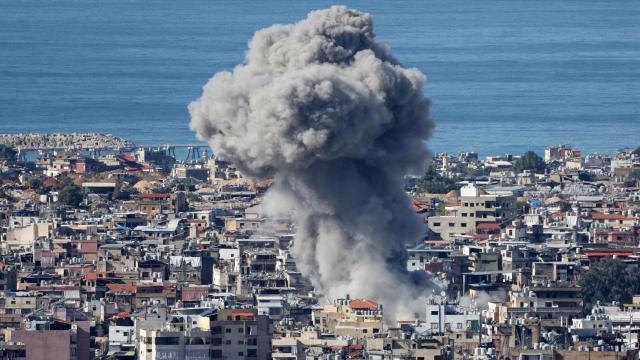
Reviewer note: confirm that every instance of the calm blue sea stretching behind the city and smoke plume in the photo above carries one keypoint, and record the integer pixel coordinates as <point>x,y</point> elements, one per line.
<point>503,75</point>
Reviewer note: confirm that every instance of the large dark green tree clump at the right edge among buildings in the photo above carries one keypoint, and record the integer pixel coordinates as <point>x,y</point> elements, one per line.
<point>609,280</point>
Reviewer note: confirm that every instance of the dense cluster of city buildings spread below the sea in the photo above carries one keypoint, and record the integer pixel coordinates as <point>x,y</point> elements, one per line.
<point>139,256</point>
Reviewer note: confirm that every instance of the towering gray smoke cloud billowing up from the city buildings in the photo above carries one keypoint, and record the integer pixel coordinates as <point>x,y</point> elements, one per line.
<point>337,121</point>
